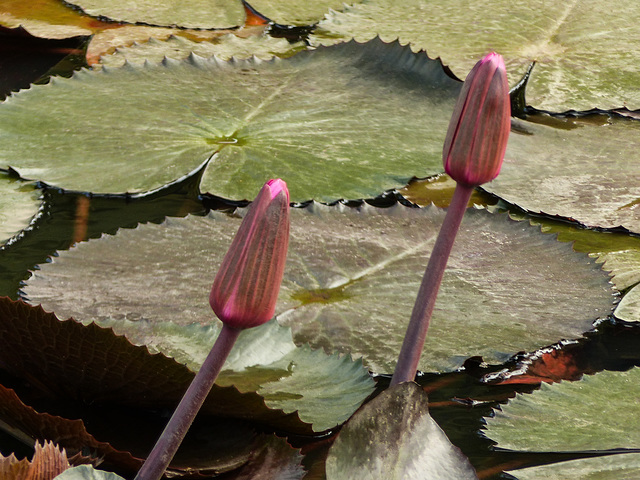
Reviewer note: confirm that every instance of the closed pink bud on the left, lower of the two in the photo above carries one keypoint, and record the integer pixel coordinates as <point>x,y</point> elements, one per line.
<point>245,290</point>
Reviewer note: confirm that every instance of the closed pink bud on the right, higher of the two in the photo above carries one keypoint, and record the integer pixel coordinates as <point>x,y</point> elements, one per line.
<point>479,129</point>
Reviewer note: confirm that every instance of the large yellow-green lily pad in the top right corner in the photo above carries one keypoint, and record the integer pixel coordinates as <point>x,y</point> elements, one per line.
<point>585,50</point>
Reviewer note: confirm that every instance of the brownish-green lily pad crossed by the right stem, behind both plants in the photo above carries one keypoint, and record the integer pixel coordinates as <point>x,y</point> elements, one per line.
<point>350,281</point>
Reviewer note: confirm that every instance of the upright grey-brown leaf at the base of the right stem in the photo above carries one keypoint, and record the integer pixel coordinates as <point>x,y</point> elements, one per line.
<point>393,437</point>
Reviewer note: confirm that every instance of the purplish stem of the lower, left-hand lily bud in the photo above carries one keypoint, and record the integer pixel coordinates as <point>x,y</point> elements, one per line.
<point>175,431</point>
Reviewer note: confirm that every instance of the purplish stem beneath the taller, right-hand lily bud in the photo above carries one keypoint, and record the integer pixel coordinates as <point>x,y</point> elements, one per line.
<point>421,316</point>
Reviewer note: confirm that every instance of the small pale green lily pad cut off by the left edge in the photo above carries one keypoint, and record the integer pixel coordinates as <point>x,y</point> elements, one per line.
<point>19,203</point>
